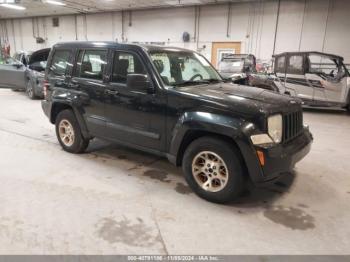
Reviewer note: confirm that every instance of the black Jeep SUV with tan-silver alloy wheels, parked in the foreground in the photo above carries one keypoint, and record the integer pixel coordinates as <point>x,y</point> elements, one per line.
<point>173,103</point>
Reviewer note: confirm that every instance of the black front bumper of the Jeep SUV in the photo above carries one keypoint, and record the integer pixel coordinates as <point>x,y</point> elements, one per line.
<point>280,159</point>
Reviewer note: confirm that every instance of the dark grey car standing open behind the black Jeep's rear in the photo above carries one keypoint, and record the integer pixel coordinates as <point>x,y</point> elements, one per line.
<point>25,74</point>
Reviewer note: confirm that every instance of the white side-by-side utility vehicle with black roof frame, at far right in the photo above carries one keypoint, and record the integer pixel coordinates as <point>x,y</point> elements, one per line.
<point>318,79</point>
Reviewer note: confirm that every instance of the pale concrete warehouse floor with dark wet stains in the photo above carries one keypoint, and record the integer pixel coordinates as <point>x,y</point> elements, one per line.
<point>115,200</point>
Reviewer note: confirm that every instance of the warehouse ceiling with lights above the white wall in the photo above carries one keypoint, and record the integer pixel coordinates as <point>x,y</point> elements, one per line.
<point>41,8</point>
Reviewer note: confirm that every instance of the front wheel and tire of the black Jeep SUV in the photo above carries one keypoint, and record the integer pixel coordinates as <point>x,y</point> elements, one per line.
<point>213,169</point>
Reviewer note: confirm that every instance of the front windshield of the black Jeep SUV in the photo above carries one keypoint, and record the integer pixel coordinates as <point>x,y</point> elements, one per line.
<point>181,68</point>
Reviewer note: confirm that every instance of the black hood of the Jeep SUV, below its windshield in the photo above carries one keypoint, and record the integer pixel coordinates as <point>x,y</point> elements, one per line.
<point>240,98</point>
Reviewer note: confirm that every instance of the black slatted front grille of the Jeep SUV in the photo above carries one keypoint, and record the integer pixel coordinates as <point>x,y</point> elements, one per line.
<point>292,125</point>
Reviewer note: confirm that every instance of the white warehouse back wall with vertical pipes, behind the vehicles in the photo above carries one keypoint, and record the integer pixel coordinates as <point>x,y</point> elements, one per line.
<point>321,25</point>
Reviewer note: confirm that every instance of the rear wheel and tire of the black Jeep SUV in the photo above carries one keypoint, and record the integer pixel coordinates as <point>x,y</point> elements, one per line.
<point>68,133</point>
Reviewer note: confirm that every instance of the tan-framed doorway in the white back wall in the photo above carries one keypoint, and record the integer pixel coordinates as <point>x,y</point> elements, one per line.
<point>220,49</point>
